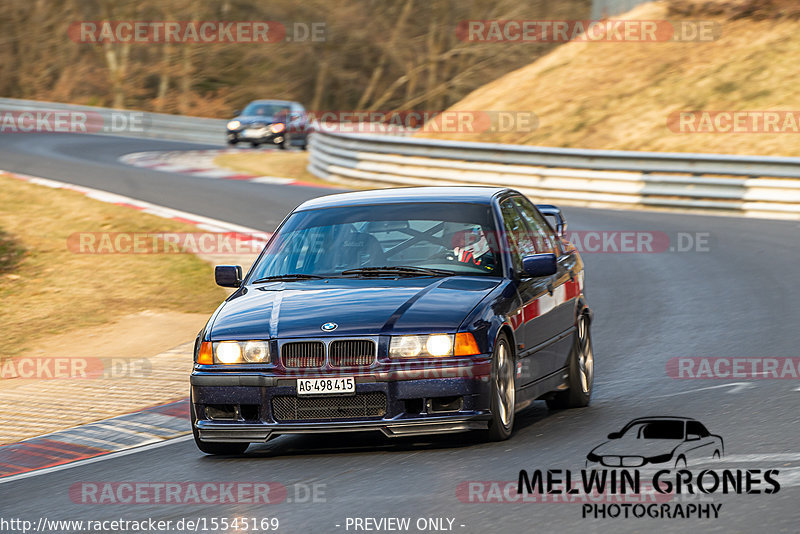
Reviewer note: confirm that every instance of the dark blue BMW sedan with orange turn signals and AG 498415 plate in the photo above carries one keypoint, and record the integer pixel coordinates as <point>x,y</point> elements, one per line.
<point>406,311</point>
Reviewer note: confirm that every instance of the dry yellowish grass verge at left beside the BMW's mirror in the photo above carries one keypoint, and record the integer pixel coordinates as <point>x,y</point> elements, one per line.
<point>47,289</point>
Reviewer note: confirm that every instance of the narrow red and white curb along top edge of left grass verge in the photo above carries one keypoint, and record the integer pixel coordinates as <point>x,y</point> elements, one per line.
<point>237,232</point>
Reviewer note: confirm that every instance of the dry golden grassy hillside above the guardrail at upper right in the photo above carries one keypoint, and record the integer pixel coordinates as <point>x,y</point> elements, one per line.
<point>621,95</point>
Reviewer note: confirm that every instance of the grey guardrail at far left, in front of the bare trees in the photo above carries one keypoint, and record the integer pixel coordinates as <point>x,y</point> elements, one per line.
<point>130,123</point>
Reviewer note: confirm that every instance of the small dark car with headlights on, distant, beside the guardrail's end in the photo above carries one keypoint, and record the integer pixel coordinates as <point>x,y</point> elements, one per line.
<point>270,122</point>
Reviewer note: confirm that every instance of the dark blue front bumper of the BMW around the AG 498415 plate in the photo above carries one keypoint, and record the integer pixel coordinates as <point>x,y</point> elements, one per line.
<point>413,406</point>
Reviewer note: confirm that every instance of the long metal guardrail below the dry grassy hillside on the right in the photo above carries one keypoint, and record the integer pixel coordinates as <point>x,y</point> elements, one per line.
<point>753,185</point>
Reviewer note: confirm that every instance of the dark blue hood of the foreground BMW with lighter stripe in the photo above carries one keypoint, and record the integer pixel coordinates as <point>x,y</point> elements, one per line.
<point>357,306</point>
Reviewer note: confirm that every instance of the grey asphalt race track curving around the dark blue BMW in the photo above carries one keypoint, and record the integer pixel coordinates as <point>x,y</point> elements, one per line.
<point>737,299</point>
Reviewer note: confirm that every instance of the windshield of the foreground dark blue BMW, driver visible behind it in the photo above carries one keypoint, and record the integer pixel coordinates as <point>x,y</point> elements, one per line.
<point>456,237</point>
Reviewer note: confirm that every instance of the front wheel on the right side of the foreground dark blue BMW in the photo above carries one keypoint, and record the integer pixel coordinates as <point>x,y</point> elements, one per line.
<point>503,391</point>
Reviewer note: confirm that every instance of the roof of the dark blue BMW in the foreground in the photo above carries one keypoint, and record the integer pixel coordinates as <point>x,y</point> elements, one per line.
<point>470,194</point>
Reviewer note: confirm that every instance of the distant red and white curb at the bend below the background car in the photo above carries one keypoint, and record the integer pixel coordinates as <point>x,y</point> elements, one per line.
<point>200,163</point>
